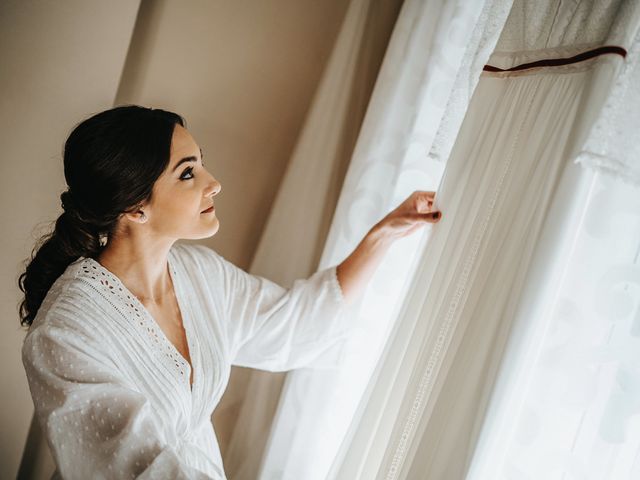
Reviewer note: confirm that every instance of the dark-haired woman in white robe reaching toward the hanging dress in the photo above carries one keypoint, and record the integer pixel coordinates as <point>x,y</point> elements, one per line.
<point>132,335</point>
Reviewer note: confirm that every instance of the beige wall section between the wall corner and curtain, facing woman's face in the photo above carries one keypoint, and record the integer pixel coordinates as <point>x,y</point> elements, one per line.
<point>242,73</point>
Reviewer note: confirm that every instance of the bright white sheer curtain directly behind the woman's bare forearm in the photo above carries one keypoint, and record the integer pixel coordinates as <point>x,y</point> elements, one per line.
<point>432,47</point>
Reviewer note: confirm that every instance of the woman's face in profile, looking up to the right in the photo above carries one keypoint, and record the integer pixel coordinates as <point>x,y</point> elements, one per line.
<point>182,192</point>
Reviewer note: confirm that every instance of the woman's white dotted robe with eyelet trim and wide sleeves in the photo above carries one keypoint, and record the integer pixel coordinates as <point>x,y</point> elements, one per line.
<point>112,393</point>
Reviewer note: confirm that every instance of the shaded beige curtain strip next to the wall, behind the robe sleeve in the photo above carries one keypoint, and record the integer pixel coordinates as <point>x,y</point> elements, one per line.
<point>296,230</point>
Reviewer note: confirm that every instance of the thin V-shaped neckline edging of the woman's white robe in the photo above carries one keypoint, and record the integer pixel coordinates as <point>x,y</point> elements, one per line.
<point>186,325</point>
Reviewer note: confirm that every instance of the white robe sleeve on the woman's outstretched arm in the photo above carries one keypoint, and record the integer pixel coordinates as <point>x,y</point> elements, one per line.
<point>274,328</point>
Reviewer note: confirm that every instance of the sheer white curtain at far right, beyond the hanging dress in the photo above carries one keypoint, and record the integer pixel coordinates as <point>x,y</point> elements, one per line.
<point>567,398</point>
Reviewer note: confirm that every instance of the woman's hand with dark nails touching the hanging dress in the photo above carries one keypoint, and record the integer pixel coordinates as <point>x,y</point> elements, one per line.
<point>413,213</point>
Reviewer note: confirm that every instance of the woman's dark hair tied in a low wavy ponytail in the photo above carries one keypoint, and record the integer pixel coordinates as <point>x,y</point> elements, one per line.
<point>111,162</point>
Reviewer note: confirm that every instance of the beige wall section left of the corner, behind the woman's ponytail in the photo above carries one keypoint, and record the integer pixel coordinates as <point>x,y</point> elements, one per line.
<point>59,61</point>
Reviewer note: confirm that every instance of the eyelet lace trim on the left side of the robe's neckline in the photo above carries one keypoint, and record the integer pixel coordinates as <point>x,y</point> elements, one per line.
<point>132,309</point>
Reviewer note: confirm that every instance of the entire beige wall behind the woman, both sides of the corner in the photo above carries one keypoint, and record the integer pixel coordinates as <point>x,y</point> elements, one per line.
<point>242,73</point>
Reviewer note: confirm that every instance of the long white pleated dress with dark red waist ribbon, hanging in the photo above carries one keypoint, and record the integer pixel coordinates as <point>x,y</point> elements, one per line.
<point>501,197</point>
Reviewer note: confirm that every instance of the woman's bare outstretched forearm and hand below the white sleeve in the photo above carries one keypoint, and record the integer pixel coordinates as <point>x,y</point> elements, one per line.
<point>356,270</point>
